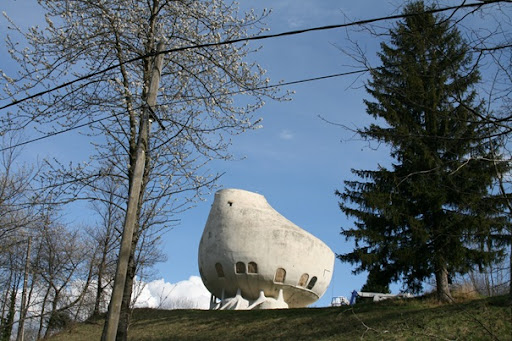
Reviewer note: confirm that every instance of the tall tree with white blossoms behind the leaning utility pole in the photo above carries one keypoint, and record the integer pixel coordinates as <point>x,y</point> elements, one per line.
<point>204,94</point>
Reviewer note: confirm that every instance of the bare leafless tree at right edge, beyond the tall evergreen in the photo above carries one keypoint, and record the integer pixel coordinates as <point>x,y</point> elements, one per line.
<point>492,46</point>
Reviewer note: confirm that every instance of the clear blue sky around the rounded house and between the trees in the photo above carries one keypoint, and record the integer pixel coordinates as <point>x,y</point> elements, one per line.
<point>296,160</point>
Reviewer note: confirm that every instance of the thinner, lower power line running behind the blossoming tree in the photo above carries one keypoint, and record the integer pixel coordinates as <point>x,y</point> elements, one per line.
<point>185,101</point>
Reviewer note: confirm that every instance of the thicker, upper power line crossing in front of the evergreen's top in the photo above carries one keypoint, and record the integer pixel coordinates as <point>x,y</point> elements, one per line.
<point>246,39</point>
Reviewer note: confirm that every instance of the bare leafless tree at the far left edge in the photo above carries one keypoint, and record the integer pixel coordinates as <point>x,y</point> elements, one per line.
<point>18,215</point>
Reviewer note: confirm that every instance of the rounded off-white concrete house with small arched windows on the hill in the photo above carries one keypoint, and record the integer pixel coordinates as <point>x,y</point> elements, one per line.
<point>251,257</point>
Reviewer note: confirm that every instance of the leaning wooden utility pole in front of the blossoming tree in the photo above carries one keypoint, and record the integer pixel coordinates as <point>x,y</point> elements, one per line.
<point>114,308</point>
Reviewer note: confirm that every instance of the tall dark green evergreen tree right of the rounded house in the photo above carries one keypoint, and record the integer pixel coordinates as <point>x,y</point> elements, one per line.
<point>430,210</point>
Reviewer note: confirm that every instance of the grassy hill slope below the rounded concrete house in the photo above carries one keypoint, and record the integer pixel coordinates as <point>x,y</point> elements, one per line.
<point>412,319</point>
